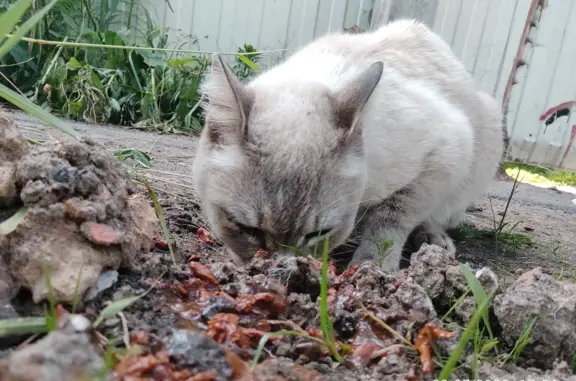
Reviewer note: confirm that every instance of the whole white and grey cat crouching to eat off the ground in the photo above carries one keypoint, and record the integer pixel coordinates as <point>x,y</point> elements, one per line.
<point>385,128</point>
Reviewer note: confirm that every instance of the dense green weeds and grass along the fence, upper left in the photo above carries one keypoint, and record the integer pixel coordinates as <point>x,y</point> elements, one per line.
<point>98,73</point>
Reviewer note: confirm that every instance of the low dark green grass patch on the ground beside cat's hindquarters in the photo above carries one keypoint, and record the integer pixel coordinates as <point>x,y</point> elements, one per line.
<point>467,232</point>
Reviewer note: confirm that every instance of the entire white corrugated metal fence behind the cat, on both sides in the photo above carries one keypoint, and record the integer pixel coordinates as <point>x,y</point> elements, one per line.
<point>521,51</point>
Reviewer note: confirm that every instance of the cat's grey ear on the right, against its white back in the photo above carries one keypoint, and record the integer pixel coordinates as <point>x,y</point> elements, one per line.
<point>354,95</point>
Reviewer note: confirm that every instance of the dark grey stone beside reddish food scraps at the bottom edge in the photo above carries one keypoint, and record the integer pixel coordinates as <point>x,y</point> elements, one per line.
<point>198,353</point>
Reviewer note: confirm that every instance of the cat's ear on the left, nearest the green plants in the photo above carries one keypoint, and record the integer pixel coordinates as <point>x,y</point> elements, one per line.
<point>229,103</point>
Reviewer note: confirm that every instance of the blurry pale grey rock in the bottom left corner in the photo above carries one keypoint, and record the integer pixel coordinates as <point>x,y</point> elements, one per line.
<point>61,355</point>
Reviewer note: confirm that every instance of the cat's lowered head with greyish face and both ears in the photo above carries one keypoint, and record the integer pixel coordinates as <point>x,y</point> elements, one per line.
<point>281,164</point>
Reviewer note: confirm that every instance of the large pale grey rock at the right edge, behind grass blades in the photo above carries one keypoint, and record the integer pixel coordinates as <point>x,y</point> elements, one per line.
<point>554,303</point>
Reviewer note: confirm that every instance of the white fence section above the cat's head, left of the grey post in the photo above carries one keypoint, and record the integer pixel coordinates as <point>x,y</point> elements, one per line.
<point>224,25</point>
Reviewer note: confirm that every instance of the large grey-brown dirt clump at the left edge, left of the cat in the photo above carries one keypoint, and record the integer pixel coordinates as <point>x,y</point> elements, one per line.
<point>82,211</point>
